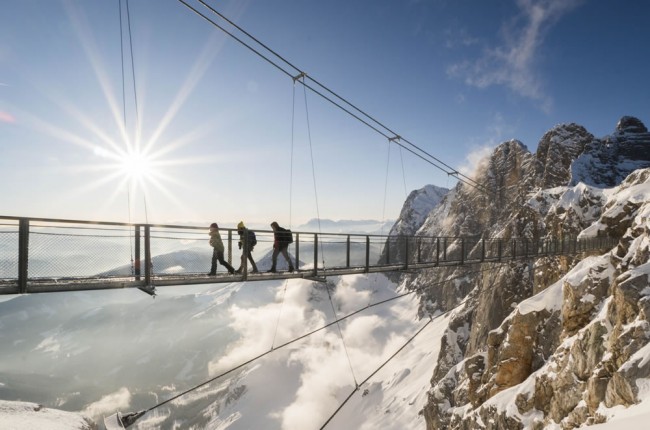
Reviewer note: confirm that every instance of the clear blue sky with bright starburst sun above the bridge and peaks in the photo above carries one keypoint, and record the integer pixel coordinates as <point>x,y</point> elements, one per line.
<point>219,126</point>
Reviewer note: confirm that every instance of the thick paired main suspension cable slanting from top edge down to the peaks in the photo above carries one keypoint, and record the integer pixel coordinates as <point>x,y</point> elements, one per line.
<point>434,162</point>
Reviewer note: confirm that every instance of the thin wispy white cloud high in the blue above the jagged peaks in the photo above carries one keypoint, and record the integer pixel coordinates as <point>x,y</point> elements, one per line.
<point>512,63</point>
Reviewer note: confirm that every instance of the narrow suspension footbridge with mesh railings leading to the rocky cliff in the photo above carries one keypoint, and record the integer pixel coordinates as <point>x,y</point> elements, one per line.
<point>41,255</point>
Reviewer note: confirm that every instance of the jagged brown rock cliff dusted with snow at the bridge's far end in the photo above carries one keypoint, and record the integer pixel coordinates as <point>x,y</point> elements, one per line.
<point>550,341</point>
